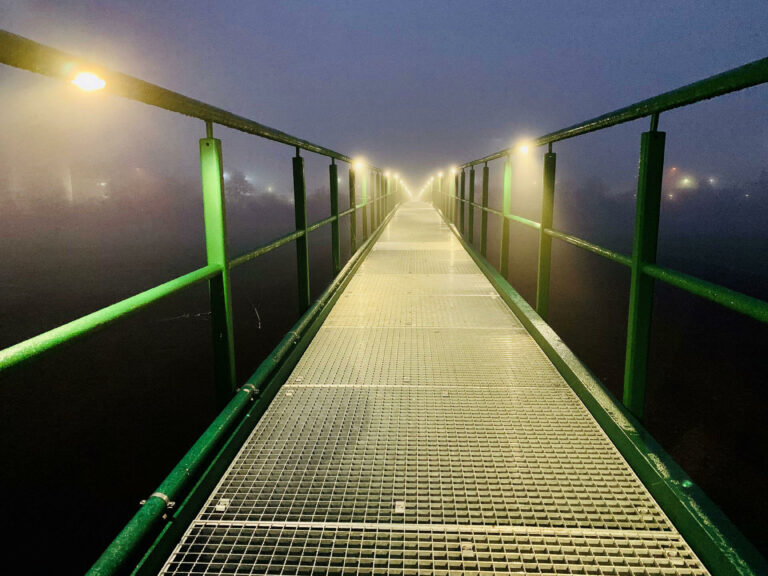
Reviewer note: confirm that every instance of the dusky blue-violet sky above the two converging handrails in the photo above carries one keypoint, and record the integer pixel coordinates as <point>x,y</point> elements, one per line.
<point>418,85</point>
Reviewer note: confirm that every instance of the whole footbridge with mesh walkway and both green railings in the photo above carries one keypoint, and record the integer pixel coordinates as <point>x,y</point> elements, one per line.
<point>421,417</point>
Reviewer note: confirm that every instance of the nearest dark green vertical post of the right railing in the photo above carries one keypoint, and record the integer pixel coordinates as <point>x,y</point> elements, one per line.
<point>643,252</point>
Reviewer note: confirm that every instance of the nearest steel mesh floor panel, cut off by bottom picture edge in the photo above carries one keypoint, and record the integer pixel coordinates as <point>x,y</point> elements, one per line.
<point>212,549</point>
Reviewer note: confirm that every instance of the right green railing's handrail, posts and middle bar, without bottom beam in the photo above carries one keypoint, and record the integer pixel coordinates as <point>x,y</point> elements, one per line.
<point>642,261</point>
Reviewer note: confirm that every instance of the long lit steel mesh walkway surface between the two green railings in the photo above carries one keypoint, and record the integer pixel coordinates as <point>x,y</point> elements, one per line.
<point>424,432</point>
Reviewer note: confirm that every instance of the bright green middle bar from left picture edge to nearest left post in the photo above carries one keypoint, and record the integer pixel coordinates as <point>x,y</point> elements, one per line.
<point>36,345</point>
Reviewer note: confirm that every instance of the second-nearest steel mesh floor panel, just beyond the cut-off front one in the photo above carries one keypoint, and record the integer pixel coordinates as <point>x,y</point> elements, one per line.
<point>525,457</point>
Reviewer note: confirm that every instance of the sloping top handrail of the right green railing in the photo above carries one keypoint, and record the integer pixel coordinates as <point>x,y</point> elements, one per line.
<point>733,80</point>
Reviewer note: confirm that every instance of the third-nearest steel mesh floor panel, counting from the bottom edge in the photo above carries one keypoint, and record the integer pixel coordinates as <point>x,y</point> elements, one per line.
<point>424,356</point>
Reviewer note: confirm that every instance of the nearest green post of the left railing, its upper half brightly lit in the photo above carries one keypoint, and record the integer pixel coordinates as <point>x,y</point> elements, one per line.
<point>212,177</point>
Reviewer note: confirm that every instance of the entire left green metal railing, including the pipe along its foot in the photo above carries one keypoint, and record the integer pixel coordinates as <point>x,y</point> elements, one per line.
<point>237,403</point>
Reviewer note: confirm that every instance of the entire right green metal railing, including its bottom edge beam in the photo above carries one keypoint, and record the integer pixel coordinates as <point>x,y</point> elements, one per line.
<point>714,538</point>
